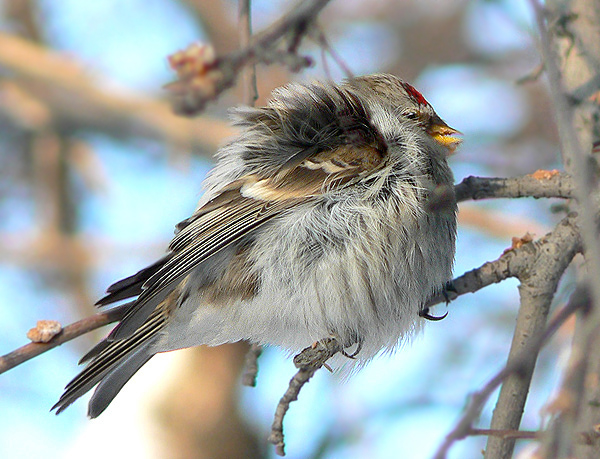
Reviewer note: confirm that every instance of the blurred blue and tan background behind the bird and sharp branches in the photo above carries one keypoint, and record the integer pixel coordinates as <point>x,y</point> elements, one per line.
<point>95,171</point>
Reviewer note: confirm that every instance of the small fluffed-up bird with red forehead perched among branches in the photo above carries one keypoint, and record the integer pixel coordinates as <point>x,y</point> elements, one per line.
<point>316,222</point>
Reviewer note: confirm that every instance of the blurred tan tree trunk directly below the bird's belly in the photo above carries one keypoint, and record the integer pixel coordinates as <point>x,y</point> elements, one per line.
<point>199,413</point>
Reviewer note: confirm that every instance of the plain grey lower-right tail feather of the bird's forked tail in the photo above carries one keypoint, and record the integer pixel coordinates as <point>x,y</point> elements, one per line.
<point>114,381</point>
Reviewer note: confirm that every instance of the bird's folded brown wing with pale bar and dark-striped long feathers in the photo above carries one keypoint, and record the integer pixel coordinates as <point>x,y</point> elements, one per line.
<point>235,212</point>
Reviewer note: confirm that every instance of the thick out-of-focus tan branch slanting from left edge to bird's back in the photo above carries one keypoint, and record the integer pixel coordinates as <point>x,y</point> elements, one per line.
<point>69,99</point>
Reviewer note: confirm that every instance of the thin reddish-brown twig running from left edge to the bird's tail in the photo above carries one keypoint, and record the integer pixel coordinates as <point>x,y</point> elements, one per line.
<point>81,327</point>
